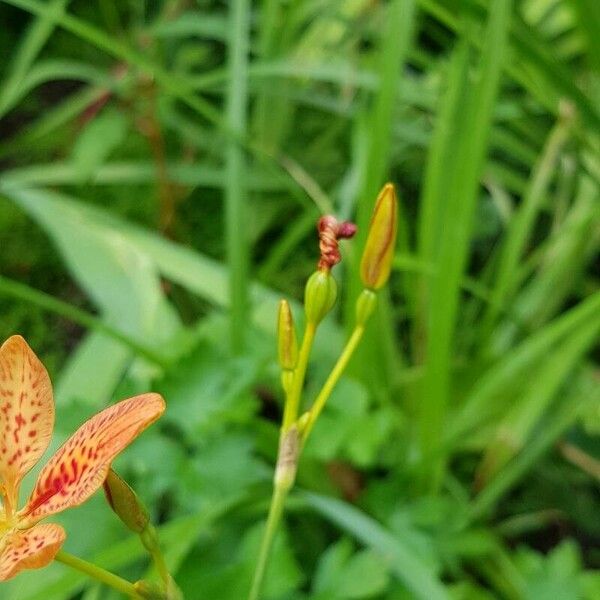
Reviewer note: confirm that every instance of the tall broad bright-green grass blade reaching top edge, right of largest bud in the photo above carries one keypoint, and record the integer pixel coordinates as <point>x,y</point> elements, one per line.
<point>454,243</point>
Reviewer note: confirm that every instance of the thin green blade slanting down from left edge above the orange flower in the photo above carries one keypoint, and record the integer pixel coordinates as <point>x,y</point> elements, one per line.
<point>49,303</point>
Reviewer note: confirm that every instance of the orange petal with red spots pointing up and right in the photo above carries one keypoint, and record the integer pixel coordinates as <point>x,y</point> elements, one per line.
<point>80,466</point>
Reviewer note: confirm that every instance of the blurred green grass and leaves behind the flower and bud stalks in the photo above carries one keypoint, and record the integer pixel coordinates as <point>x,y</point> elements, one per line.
<point>163,166</point>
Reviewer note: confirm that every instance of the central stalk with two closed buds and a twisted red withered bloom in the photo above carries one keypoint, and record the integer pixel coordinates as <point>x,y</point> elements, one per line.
<point>319,298</point>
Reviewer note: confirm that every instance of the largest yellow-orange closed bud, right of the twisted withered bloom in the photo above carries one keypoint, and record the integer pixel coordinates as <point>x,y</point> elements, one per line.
<point>377,257</point>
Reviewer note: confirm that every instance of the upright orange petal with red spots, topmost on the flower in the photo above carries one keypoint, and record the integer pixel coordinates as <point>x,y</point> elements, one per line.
<point>26,412</point>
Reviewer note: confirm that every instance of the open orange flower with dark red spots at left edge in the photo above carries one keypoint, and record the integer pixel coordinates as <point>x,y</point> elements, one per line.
<point>71,476</point>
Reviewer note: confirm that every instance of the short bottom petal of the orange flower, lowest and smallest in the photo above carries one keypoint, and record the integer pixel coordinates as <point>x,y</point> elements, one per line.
<point>29,549</point>
